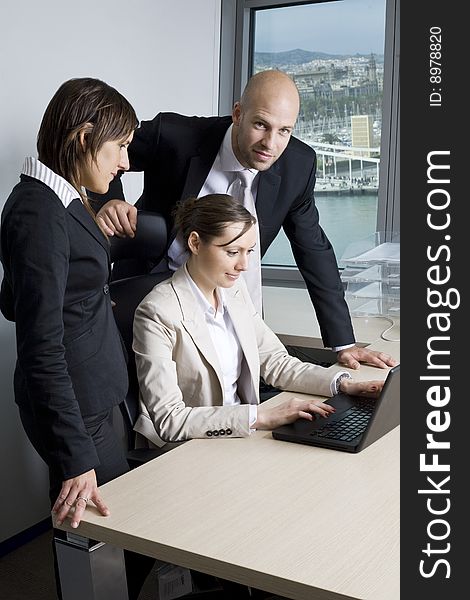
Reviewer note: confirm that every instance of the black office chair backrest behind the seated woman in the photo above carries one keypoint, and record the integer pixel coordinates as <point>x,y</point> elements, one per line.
<point>148,245</point>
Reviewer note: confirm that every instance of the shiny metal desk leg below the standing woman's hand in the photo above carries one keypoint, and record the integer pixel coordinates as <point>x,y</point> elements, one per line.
<point>90,569</point>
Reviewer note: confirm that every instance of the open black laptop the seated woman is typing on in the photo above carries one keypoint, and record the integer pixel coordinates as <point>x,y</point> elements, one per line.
<point>356,424</point>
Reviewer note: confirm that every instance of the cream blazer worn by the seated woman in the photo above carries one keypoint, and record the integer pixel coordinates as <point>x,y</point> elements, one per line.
<point>181,384</point>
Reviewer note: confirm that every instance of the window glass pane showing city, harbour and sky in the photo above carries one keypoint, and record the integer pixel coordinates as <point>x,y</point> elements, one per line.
<point>335,53</point>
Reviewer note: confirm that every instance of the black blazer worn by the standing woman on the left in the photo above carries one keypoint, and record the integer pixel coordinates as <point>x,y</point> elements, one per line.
<point>70,357</point>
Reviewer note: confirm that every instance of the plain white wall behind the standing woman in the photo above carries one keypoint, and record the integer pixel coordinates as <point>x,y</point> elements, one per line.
<point>162,55</point>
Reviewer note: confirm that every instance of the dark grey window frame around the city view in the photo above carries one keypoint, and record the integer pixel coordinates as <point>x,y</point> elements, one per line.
<point>236,45</point>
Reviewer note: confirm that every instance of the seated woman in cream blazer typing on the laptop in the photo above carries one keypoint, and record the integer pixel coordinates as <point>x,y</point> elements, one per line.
<point>200,346</point>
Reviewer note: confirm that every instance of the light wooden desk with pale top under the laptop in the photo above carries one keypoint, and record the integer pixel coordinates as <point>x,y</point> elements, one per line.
<point>303,522</point>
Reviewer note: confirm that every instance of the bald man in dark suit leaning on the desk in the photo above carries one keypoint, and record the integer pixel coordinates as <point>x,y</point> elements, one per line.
<point>193,156</point>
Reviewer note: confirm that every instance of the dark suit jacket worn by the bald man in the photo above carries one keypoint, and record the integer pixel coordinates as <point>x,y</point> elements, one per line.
<point>176,154</point>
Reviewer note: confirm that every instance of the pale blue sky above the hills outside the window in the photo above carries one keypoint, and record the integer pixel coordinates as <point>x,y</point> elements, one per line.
<point>338,27</point>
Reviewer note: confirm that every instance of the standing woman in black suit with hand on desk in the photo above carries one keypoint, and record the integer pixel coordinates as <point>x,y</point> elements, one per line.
<point>71,369</point>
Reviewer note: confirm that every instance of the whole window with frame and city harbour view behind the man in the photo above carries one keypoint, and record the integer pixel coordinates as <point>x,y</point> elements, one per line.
<point>341,55</point>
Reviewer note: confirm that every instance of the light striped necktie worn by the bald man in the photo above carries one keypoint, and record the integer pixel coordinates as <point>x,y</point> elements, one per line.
<point>253,274</point>
